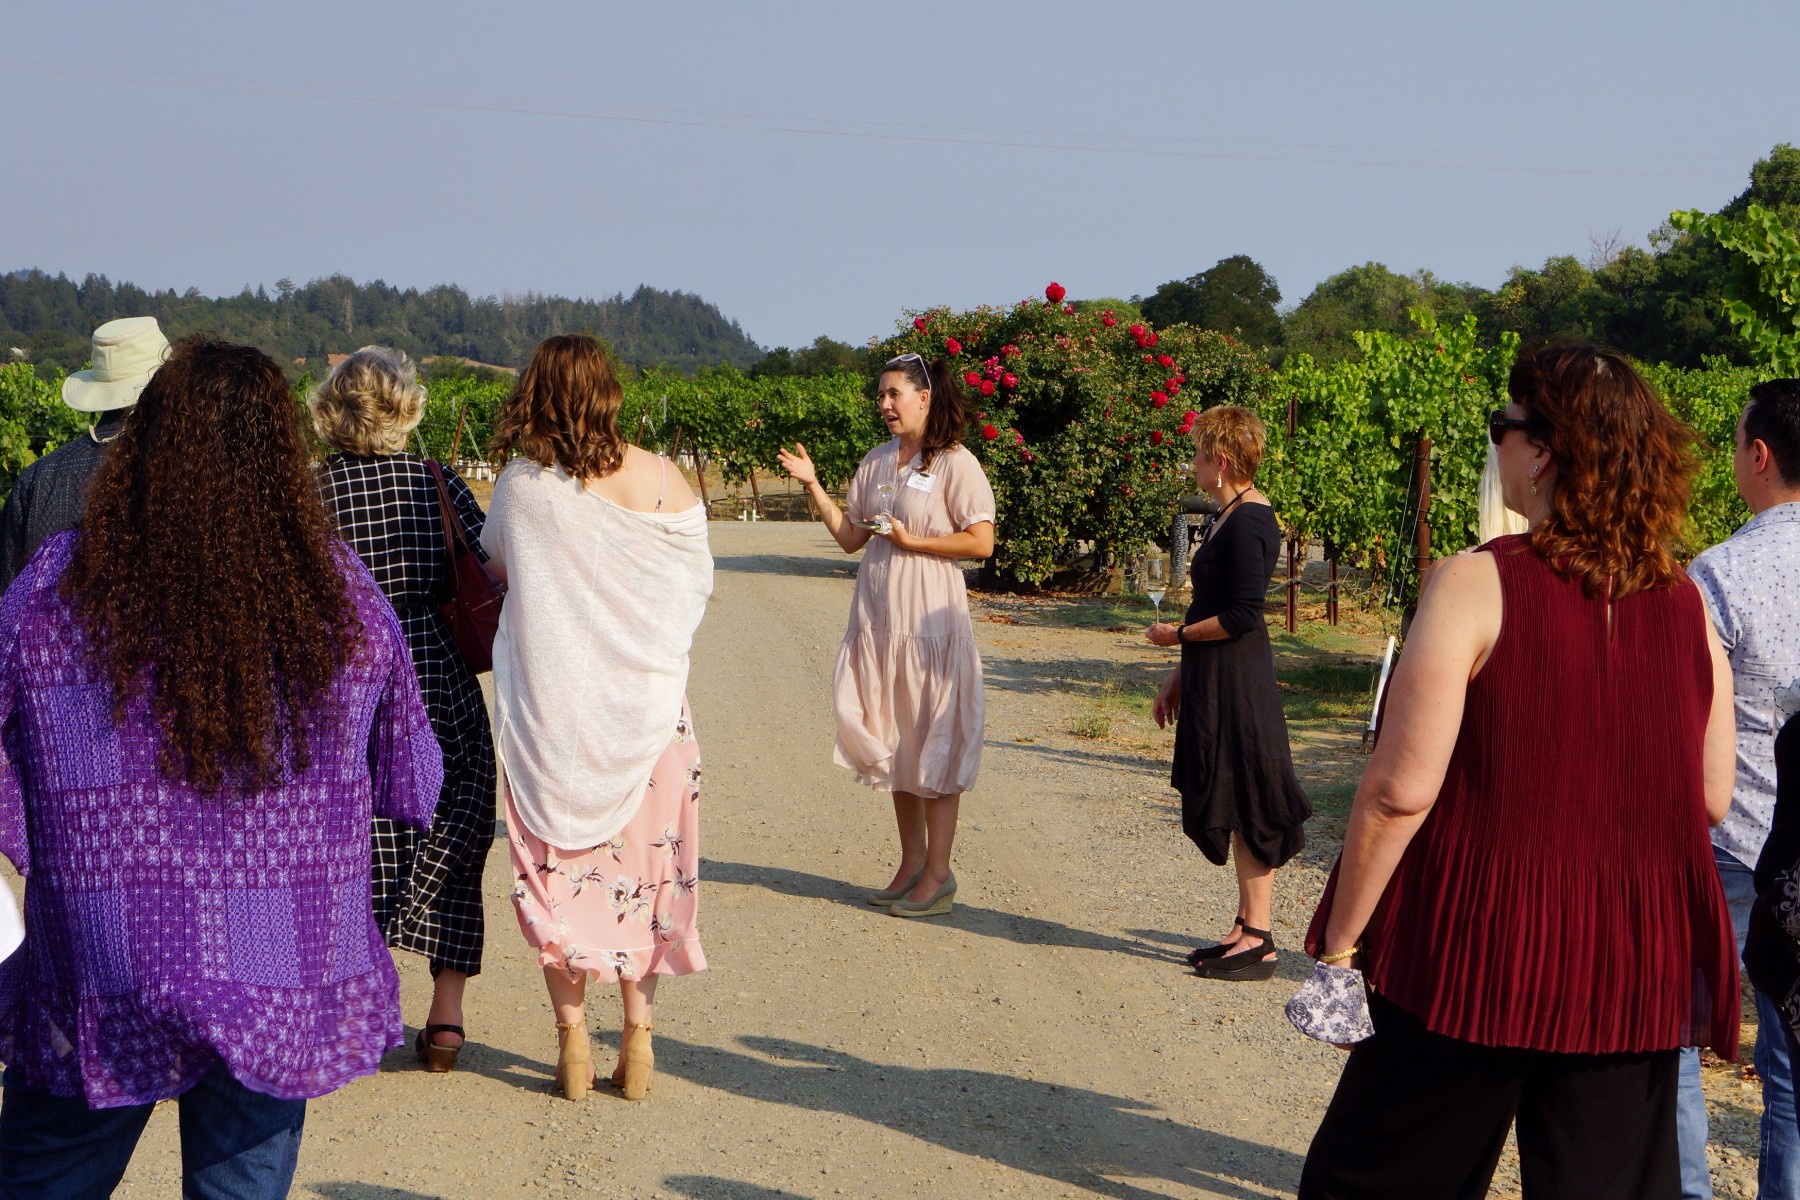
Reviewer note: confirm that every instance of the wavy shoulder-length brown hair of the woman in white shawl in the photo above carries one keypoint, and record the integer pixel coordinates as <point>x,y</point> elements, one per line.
<point>564,409</point>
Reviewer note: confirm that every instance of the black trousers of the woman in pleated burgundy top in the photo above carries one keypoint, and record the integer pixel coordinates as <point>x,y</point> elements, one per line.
<point>1425,1118</point>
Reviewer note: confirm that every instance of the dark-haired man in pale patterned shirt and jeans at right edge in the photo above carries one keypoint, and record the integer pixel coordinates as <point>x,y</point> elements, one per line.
<point>1752,589</point>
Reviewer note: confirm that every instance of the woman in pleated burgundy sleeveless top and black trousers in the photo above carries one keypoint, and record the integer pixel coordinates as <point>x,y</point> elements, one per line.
<point>1527,866</point>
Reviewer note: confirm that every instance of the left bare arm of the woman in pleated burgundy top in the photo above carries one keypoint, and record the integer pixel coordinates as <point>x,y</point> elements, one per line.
<point>1457,625</point>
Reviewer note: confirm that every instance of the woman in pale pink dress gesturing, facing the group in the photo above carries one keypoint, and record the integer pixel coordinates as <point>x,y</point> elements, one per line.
<point>908,683</point>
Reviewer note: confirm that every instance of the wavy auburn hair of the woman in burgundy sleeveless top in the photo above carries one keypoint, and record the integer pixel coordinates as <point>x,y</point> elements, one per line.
<point>1624,469</point>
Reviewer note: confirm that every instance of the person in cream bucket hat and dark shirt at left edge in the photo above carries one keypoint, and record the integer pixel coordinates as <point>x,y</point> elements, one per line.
<point>51,492</point>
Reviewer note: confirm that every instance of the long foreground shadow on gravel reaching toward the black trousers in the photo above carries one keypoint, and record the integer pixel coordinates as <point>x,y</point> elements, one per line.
<point>1074,1136</point>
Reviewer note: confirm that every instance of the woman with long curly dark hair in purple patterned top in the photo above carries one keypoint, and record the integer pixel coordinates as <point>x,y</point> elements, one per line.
<point>204,697</point>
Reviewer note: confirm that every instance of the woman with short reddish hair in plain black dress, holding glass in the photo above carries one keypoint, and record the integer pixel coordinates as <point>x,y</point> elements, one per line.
<point>1232,767</point>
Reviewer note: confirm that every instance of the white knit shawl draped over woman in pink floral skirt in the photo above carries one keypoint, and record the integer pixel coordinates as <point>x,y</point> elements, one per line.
<point>591,661</point>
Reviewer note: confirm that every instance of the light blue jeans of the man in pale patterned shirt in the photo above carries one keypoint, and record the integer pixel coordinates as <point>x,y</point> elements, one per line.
<point>1779,1163</point>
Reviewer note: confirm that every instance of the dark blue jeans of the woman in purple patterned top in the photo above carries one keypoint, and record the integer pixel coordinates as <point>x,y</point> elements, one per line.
<point>237,1145</point>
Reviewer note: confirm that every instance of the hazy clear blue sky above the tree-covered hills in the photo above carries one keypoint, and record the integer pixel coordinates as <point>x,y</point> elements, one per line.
<point>818,168</point>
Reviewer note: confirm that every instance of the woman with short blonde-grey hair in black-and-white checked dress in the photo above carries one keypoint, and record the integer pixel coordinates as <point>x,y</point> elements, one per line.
<point>427,886</point>
